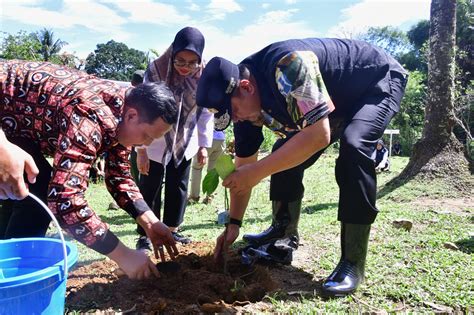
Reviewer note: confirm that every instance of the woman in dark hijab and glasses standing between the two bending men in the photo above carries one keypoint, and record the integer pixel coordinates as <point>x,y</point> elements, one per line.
<point>169,158</point>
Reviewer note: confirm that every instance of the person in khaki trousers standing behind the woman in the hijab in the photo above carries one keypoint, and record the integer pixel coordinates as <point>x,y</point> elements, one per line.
<point>218,147</point>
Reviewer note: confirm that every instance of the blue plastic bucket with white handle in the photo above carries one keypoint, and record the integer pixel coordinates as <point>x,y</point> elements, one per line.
<point>33,273</point>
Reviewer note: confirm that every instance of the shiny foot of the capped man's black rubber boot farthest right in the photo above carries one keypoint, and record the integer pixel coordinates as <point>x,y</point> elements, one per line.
<point>344,280</point>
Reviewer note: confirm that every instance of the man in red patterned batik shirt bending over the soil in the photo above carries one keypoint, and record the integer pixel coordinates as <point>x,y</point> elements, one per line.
<point>46,109</point>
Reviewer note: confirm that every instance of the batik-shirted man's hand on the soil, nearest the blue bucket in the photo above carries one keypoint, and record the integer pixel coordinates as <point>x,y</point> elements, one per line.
<point>136,264</point>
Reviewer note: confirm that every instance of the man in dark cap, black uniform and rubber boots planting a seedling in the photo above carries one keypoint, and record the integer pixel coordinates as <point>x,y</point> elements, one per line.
<point>312,92</point>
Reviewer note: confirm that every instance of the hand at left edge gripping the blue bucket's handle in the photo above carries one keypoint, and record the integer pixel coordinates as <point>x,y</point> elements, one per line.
<point>13,163</point>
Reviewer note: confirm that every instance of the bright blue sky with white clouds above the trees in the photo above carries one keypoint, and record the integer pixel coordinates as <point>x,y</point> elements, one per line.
<point>233,29</point>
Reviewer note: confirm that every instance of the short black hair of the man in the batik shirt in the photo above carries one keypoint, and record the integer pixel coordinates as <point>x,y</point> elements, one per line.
<point>152,101</point>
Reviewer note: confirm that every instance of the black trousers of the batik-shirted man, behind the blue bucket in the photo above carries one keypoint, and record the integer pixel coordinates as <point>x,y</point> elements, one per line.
<point>25,218</point>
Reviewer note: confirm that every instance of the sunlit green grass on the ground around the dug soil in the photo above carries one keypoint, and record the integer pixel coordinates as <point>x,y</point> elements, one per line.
<point>405,270</point>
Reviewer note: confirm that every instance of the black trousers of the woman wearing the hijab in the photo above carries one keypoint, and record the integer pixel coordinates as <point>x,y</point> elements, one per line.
<point>176,191</point>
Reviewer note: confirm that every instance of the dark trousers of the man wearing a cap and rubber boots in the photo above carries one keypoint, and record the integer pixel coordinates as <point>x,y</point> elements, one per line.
<point>355,170</point>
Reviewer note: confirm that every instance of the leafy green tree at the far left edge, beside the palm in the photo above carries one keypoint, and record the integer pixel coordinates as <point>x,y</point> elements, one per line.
<point>21,45</point>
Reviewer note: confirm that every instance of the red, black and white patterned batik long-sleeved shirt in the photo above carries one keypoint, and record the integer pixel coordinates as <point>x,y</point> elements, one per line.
<point>73,117</point>
